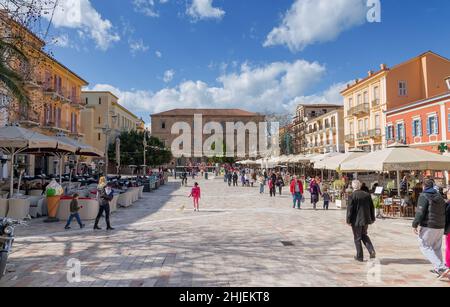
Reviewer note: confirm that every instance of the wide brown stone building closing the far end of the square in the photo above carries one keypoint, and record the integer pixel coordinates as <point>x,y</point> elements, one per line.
<point>163,124</point>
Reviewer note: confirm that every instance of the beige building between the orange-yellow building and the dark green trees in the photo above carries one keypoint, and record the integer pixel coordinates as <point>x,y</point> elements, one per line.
<point>103,113</point>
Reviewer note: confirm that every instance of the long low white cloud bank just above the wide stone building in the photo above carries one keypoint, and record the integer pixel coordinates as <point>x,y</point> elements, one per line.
<point>275,87</point>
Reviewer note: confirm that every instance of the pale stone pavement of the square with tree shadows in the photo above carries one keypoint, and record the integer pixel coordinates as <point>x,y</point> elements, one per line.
<point>235,240</point>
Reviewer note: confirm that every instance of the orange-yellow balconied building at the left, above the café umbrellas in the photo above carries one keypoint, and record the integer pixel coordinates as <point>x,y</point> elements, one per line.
<point>54,91</point>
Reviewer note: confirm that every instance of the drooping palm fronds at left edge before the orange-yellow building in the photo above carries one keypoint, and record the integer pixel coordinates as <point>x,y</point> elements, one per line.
<point>13,81</point>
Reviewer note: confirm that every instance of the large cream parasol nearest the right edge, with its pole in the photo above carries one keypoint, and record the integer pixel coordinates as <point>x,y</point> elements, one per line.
<point>397,157</point>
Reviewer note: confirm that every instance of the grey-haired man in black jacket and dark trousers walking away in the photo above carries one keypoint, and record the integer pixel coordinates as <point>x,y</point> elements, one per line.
<point>361,214</point>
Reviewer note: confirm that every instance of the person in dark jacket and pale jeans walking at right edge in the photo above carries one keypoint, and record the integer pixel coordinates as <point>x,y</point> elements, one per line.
<point>429,225</point>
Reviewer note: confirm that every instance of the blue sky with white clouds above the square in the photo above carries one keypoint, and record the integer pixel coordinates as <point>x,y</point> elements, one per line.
<point>261,55</point>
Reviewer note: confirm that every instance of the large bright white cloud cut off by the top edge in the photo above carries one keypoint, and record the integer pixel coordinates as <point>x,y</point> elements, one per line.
<point>315,21</point>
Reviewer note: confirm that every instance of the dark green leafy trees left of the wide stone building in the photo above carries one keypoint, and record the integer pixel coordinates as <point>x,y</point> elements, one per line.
<point>132,150</point>
